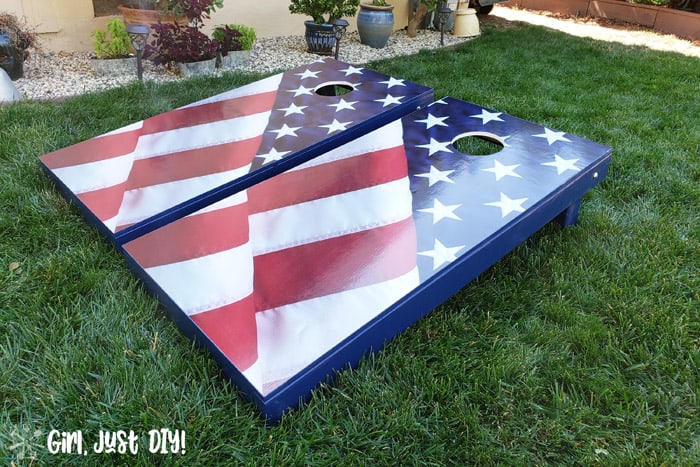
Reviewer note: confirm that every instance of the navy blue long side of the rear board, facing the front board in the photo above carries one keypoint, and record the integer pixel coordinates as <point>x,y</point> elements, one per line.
<point>274,168</point>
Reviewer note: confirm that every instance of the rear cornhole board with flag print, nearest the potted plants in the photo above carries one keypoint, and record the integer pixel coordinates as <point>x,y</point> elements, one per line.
<point>147,174</point>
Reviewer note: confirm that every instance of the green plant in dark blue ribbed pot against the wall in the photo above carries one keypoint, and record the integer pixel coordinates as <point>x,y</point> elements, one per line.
<point>320,38</point>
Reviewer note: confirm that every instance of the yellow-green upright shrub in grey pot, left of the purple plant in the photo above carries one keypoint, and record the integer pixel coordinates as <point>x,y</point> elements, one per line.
<point>112,50</point>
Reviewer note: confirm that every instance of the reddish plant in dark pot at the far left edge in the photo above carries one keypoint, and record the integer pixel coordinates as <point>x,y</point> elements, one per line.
<point>16,38</point>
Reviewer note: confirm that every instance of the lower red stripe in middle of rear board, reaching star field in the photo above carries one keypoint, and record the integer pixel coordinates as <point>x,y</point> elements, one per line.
<point>192,163</point>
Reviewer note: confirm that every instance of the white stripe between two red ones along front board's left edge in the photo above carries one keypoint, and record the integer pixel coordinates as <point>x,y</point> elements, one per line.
<point>208,282</point>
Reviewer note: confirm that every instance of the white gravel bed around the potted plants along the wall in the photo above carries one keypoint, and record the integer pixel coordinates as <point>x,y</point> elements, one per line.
<point>60,75</point>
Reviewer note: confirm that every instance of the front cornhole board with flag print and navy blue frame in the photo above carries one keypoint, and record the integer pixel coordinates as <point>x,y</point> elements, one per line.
<point>299,275</point>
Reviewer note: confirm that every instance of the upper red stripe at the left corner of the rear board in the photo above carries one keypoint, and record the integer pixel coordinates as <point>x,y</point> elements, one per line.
<point>92,150</point>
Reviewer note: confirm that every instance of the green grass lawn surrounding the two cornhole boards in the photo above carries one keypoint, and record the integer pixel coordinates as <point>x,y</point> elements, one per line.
<point>580,347</point>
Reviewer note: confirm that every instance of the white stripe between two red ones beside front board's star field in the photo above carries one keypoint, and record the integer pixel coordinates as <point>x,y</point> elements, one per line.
<point>330,217</point>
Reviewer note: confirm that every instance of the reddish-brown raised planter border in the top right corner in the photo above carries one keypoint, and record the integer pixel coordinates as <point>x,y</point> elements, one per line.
<point>684,24</point>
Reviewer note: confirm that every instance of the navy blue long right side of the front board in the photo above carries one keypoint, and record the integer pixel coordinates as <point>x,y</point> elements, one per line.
<point>433,292</point>
